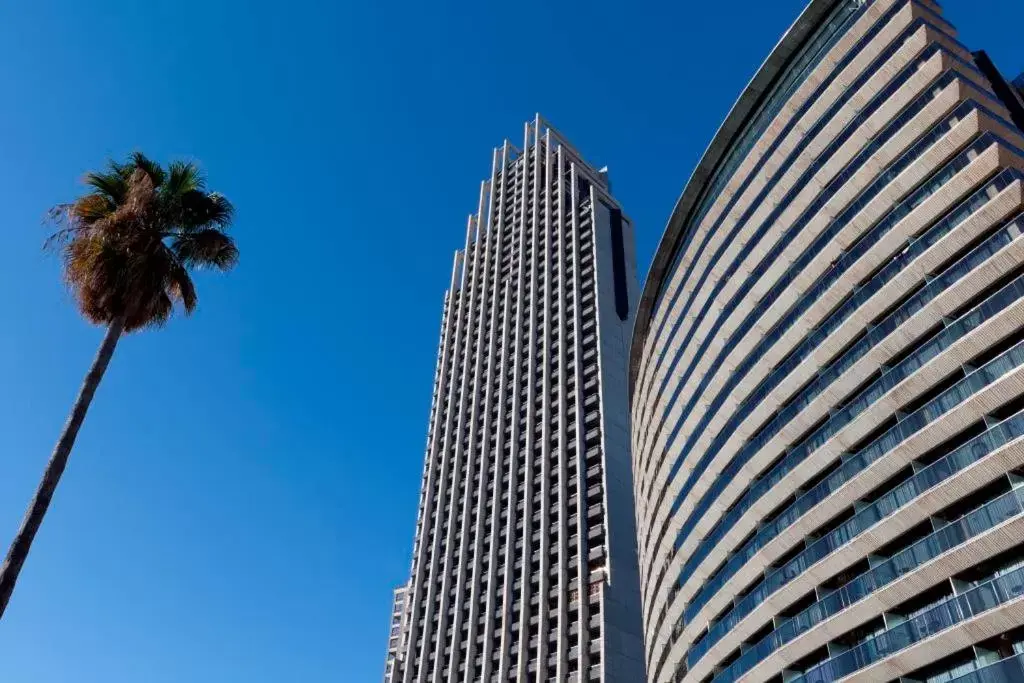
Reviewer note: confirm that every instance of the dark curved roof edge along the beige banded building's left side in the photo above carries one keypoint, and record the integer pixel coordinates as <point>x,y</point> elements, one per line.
<point>734,126</point>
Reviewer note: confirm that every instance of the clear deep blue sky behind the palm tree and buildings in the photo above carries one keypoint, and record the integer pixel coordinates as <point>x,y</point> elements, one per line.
<point>242,499</point>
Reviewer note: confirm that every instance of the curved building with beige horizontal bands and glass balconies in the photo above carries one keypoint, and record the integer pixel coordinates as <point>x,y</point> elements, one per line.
<point>828,371</point>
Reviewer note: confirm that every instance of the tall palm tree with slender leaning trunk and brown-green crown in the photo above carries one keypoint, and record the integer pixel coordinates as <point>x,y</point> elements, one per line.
<point>126,247</point>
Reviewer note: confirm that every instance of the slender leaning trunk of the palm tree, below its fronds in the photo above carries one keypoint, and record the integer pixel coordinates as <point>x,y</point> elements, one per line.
<point>45,494</point>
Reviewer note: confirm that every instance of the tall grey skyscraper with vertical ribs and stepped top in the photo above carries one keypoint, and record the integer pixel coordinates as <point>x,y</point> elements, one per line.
<point>525,562</point>
